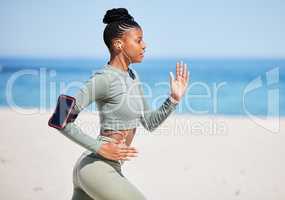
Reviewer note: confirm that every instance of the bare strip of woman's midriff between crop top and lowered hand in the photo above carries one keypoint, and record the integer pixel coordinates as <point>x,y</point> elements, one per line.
<point>122,136</point>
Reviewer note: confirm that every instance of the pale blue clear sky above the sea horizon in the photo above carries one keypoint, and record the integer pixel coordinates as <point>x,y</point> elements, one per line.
<point>186,28</point>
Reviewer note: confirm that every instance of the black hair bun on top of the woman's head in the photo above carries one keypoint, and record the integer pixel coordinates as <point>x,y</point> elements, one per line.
<point>117,14</point>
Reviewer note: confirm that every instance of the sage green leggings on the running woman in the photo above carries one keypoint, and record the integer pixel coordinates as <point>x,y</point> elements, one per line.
<point>97,178</point>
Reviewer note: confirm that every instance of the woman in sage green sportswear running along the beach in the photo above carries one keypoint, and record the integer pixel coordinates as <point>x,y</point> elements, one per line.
<point>115,88</point>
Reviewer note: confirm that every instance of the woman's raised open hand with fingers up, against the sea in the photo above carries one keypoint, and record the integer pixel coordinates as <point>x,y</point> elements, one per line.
<point>178,85</point>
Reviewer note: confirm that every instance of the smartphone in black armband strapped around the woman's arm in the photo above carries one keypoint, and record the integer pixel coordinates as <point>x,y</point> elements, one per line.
<point>64,112</point>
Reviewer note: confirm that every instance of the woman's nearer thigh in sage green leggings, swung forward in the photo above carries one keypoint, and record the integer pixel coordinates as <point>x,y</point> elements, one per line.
<point>101,181</point>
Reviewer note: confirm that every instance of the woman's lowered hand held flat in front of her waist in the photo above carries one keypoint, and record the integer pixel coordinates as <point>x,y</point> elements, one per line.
<point>117,151</point>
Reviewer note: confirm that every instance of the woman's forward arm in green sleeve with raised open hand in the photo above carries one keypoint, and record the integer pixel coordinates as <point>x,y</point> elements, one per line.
<point>152,119</point>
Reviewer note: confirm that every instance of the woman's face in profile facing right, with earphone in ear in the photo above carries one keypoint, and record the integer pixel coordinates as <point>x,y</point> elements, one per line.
<point>133,45</point>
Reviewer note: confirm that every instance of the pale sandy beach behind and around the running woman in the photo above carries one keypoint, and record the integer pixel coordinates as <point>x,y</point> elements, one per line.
<point>188,157</point>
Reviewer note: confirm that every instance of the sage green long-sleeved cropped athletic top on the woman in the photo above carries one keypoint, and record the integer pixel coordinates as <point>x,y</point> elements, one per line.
<point>120,102</point>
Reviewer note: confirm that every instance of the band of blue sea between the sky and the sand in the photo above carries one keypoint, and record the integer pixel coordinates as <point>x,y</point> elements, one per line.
<point>217,86</point>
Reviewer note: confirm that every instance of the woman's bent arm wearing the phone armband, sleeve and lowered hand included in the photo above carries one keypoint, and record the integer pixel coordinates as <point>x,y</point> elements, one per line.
<point>95,89</point>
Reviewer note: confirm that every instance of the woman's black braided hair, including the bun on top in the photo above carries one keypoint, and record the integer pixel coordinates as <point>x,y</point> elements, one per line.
<point>118,21</point>
